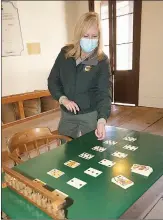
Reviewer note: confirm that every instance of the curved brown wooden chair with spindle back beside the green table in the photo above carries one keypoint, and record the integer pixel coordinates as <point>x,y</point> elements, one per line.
<point>21,145</point>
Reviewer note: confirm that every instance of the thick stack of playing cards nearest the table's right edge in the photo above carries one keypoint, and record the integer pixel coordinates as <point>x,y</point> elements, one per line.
<point>141,169</point>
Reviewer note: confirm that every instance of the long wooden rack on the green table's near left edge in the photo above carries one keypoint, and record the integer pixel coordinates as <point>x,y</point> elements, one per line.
<point>51,201</point>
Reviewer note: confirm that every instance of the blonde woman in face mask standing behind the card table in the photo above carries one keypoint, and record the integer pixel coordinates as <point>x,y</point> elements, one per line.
<point>79,80</point>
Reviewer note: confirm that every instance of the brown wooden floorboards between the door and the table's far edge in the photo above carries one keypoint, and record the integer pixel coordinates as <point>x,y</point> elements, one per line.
<point>137,118</point>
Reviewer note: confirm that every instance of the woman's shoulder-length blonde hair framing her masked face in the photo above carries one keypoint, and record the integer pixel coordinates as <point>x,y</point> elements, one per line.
<point>84,23</point>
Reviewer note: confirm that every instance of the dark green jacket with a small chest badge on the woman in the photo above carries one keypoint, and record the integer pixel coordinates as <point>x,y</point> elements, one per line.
<point>90,90</point>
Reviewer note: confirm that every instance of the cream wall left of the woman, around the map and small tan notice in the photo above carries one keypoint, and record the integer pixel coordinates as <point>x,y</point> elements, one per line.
<point>44,22</point>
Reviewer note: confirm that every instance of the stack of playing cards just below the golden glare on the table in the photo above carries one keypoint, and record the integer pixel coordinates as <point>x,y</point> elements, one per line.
<point>122,181</point>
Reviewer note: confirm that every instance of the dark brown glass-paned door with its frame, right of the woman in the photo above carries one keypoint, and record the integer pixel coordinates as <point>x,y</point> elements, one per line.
<point>120,22</point>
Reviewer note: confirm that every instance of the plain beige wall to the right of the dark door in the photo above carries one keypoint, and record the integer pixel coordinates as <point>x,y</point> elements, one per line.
<point>151,55</point>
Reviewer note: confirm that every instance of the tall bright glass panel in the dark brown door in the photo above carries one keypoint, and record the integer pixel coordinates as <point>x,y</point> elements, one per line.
<point>124,35</point>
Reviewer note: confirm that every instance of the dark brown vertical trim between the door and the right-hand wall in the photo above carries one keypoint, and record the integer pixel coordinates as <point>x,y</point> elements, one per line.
<point>136,46</point>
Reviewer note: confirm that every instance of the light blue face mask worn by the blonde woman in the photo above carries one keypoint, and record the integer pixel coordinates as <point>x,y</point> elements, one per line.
<point>88,45</point>
